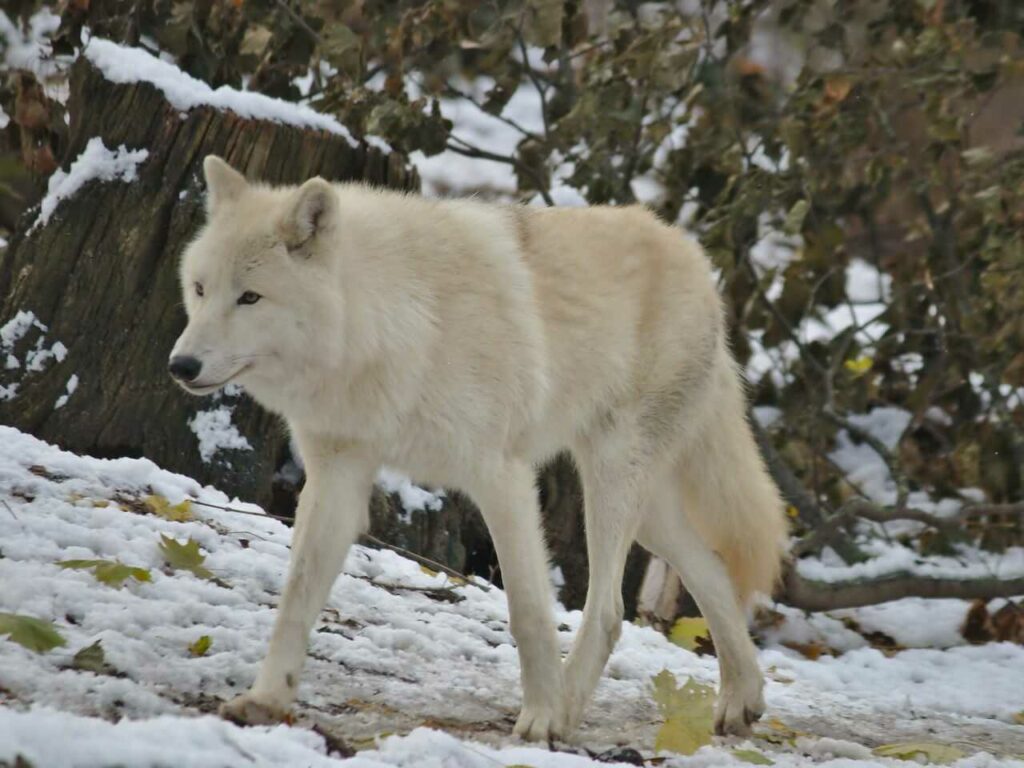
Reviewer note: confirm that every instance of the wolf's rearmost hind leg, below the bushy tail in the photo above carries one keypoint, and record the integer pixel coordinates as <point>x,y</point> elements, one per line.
<point>668,534</point>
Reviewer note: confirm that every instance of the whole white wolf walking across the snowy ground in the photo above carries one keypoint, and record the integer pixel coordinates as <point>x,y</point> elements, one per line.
<point>466,343</point>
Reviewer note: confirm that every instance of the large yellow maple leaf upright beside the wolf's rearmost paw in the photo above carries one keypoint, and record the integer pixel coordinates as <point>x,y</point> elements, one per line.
<point>688,712</point>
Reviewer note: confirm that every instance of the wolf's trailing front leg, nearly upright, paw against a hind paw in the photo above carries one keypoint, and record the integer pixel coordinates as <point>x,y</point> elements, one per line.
<point>508,501</point>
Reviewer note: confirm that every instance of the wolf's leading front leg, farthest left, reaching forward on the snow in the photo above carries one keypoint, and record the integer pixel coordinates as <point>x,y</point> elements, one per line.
<point>332,513</point>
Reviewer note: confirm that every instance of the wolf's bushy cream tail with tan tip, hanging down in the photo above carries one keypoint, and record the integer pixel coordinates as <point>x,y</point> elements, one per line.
<point>729,495</point>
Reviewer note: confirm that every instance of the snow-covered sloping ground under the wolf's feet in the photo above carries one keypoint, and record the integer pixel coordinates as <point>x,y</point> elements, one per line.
<point>405,665</point>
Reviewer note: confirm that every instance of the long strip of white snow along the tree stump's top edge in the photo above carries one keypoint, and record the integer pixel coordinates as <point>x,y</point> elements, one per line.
<point>125,65</point>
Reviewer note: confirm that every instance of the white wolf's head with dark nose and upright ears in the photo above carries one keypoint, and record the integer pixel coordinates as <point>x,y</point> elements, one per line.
<point>257,284</point>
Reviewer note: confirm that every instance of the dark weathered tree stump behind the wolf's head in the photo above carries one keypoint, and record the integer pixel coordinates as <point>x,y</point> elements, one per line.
<point>102,277</point>
